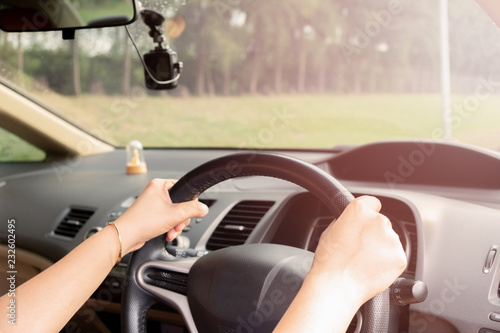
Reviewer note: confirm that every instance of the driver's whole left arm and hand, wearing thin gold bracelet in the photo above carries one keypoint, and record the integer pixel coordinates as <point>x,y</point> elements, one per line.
<point>50,299</point>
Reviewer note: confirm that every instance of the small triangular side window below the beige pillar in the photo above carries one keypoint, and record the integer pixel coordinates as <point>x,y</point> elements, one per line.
<point>15,149</point>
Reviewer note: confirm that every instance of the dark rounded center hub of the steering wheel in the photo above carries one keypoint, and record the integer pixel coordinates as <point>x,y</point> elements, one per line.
<point>224,293</point>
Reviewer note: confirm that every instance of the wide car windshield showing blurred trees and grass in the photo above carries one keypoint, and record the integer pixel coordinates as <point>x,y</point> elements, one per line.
<point>272,74</point>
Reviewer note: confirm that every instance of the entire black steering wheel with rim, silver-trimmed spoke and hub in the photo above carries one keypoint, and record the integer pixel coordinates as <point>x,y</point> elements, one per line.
<point>244,288</point>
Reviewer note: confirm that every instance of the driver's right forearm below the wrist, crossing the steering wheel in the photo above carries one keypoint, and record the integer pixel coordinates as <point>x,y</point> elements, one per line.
<point>322,305</point>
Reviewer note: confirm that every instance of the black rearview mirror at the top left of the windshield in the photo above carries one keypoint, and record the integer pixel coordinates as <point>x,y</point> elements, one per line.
<point>65,15</point>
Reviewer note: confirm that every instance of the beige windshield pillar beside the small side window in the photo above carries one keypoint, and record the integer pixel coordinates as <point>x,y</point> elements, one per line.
<point>43,129</point>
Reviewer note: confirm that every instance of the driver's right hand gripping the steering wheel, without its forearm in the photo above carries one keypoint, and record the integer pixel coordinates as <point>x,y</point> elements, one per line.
<point>362,247</point>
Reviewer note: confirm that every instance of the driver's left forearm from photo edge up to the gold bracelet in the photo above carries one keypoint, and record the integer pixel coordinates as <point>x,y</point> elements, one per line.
<point>49,300</point>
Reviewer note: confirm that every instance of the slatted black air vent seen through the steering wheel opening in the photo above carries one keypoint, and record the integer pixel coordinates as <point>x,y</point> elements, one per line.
<point>237,225</point>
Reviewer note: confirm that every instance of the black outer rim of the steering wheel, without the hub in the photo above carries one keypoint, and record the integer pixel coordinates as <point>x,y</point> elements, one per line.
<point>136,301</point>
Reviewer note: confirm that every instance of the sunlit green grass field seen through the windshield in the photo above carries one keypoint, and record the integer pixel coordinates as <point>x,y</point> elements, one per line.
<point>286,121</point>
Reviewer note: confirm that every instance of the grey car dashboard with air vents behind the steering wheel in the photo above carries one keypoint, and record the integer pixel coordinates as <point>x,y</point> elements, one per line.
<point>442,199</point>
